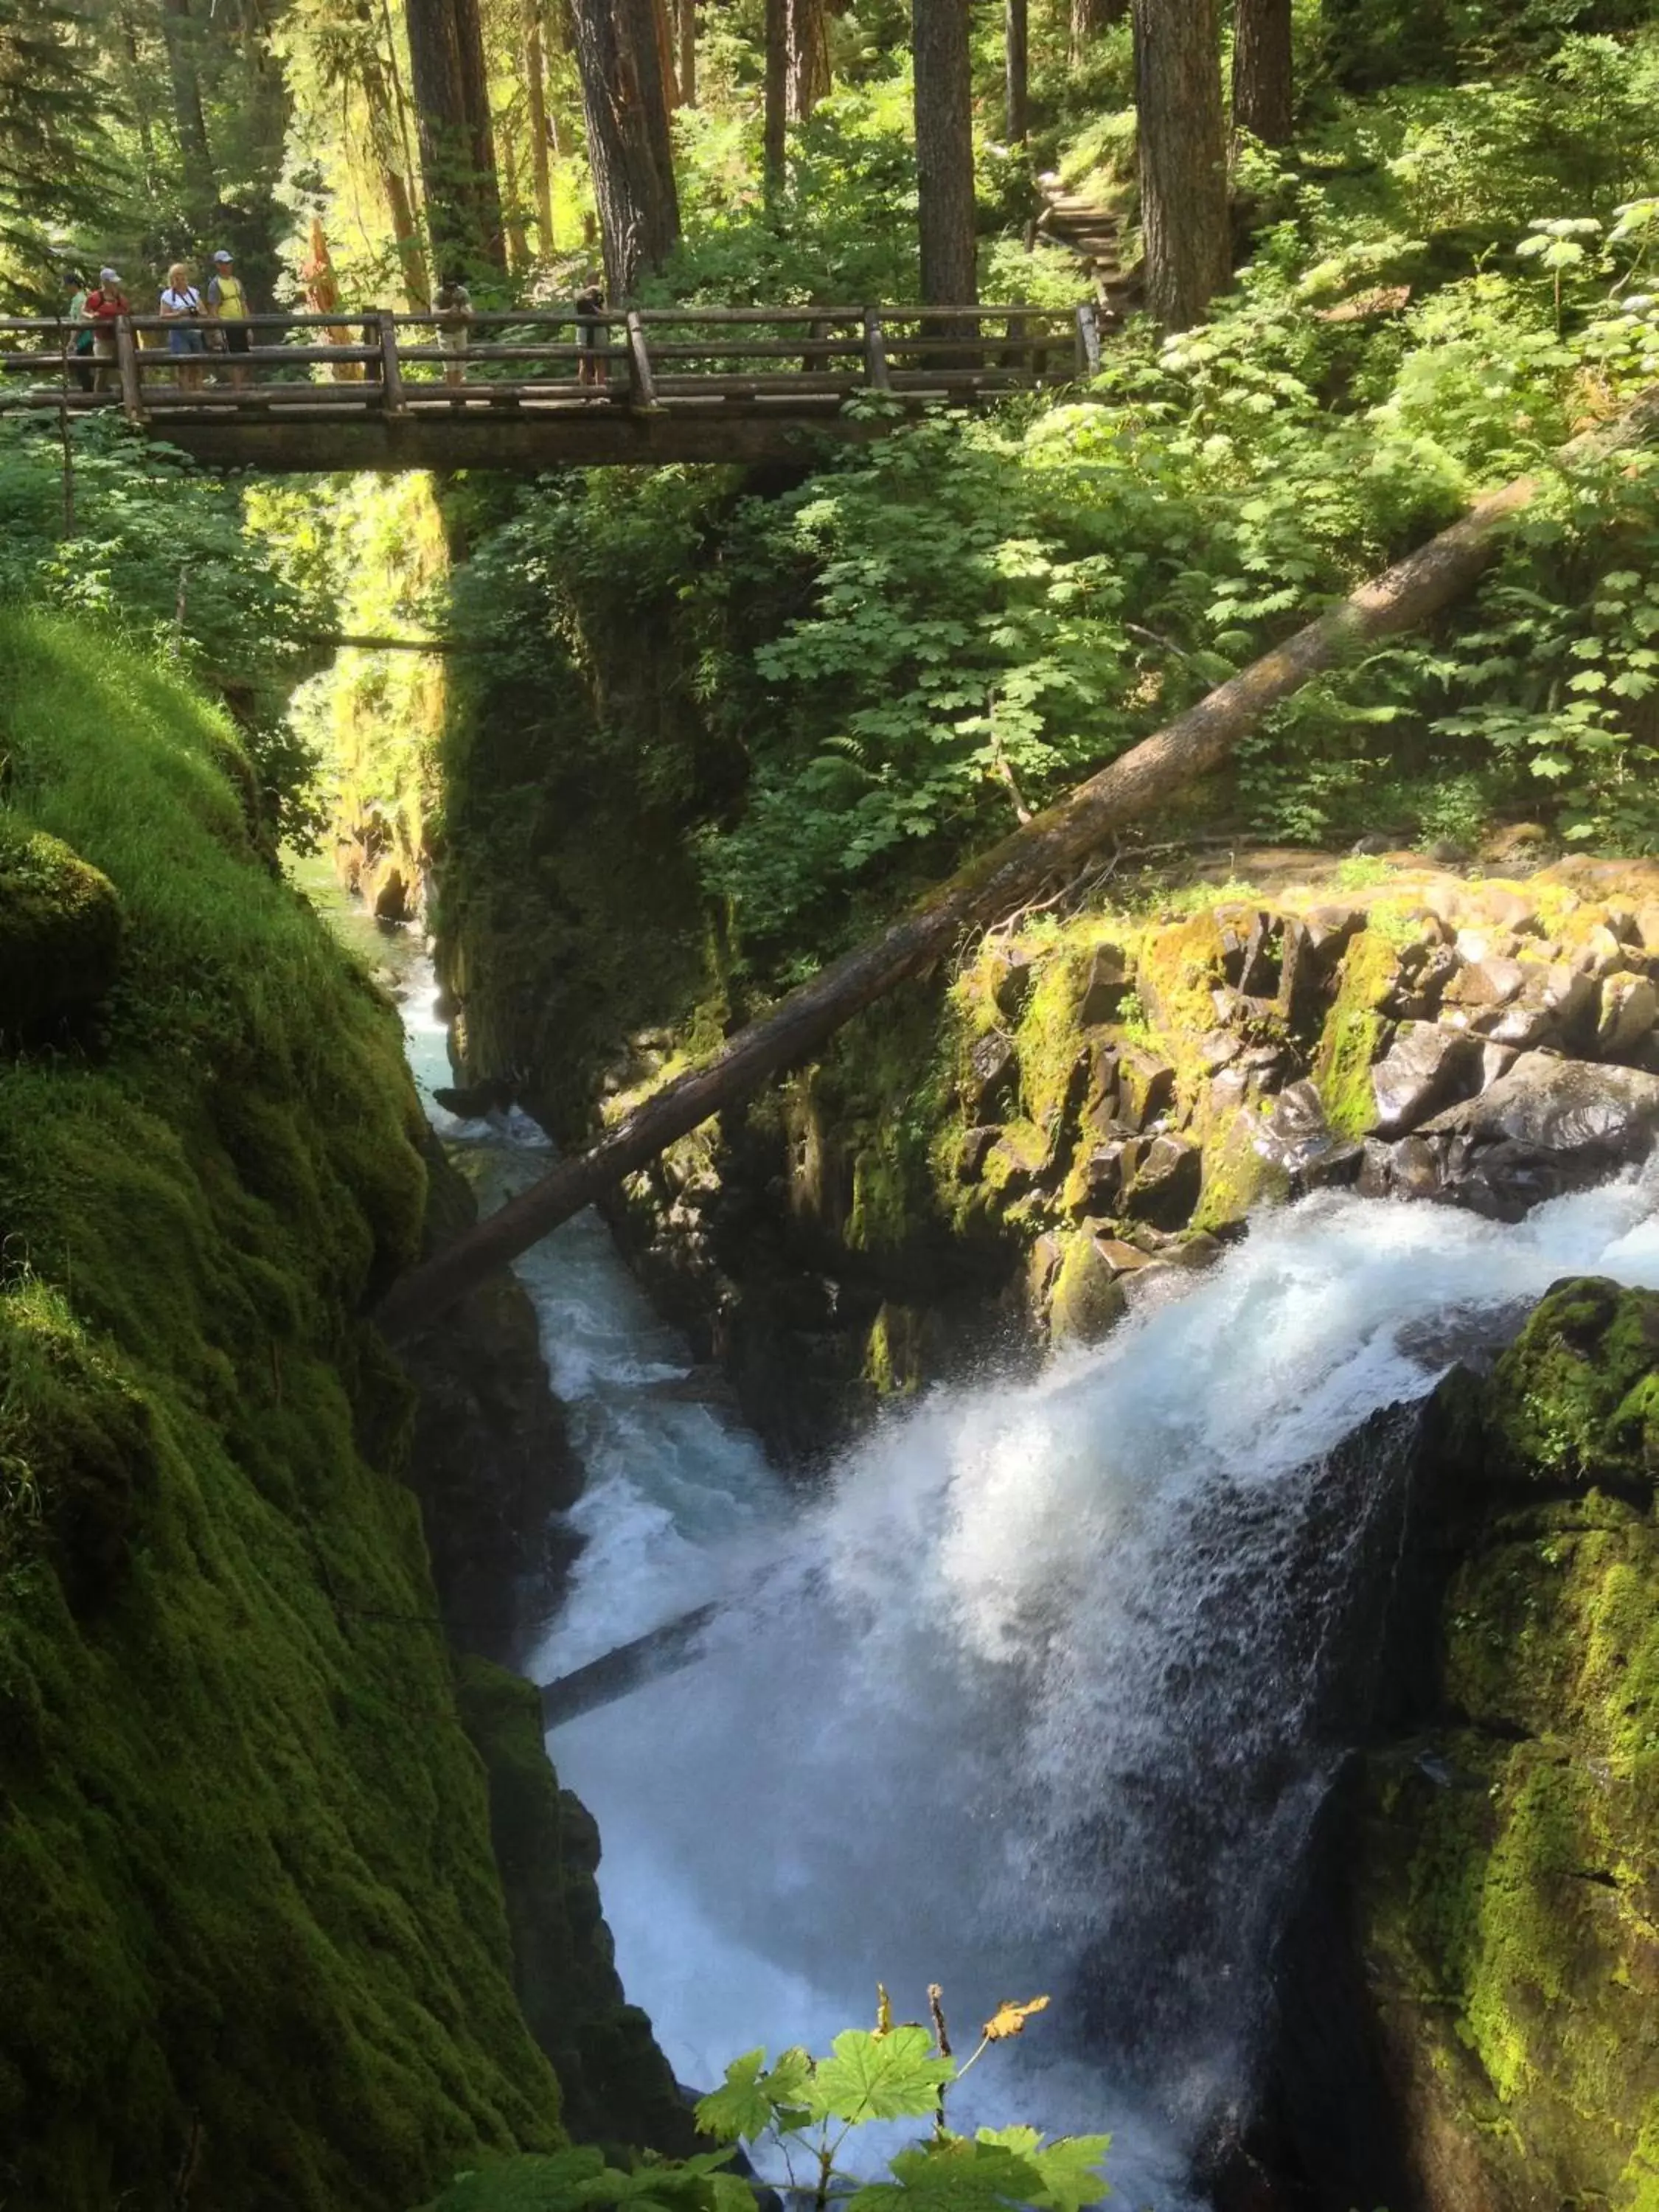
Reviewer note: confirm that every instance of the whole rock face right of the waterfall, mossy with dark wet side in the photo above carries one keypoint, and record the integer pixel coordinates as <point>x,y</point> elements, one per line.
<point>1470,1987</point>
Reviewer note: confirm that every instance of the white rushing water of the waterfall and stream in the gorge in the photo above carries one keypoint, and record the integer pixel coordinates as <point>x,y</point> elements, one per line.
<point>1027,1698</point>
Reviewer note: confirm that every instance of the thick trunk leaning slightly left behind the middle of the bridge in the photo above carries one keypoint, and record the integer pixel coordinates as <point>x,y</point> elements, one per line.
<point>629,143</point>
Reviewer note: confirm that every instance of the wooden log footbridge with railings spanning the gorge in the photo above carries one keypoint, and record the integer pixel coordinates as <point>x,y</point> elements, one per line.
<point>536,390</point>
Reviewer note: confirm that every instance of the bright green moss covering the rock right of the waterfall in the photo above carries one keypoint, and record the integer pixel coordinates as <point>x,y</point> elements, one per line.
<point>1510,1912</point>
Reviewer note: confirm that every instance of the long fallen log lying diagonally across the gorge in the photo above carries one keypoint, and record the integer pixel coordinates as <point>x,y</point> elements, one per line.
<point>992,886</point>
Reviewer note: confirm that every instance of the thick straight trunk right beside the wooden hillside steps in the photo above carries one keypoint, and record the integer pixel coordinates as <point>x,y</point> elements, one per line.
<point>1185,158</point>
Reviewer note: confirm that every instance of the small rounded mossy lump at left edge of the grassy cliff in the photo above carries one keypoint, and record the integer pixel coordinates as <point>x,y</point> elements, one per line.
<point>61,935</point>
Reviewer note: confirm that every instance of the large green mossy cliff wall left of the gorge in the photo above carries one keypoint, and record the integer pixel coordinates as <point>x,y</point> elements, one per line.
<point>253,1945</point>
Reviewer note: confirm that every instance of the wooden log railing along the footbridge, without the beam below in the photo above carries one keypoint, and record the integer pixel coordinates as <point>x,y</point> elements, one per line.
<point>806,357</point>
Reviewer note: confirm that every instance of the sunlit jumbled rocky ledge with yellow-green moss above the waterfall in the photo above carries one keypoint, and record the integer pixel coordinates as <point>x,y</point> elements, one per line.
<point>1030,1147</point>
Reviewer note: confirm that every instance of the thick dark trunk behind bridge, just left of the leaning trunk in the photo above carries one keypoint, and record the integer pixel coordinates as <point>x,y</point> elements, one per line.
<point>457,143</point>
